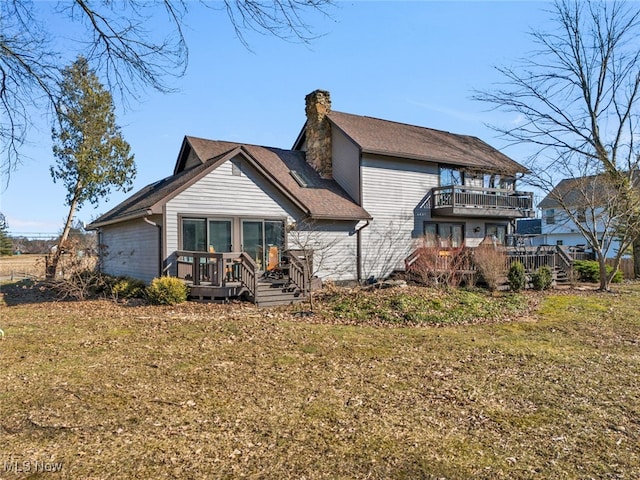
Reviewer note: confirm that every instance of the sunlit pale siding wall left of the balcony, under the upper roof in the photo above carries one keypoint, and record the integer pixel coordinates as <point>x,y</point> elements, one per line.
<point>394,193</point>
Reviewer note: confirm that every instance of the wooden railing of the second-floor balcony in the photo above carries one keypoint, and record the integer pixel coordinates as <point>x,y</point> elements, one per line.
<point>474,197</point>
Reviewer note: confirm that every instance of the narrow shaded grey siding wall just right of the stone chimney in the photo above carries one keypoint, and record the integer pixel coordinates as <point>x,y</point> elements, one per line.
<point>346,160</point>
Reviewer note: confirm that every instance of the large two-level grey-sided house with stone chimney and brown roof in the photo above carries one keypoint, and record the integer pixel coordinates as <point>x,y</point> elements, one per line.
<point>361,187</point>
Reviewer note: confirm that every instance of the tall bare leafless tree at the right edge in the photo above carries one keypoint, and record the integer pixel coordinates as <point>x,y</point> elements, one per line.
<point>576,100</point>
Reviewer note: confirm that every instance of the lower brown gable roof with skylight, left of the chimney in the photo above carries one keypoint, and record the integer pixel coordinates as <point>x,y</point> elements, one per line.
<point>321,199</point>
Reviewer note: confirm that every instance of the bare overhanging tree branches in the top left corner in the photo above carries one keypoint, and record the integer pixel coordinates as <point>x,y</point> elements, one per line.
<point>118,40</point>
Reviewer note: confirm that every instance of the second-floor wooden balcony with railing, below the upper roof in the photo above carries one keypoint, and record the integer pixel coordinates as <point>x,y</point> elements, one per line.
<point>460,200</point>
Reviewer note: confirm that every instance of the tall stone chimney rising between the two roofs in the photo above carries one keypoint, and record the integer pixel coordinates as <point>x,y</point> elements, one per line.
<point>318,132</point>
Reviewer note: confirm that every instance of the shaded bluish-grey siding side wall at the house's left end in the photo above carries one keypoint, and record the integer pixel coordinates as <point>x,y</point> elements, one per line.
<point>131,249</point>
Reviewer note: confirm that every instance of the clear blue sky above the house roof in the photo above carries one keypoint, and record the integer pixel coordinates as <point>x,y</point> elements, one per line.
<point>411,62</point>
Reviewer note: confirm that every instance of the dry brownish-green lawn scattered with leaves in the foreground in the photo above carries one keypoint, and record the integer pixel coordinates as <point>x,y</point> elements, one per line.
<point>549,388</point>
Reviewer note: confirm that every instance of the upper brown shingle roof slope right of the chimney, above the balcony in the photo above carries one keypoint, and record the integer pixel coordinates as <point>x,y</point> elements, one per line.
<point>384,137</point>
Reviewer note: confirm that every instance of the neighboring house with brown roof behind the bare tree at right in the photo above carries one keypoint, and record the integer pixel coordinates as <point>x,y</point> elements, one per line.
<point>585,198</point>
